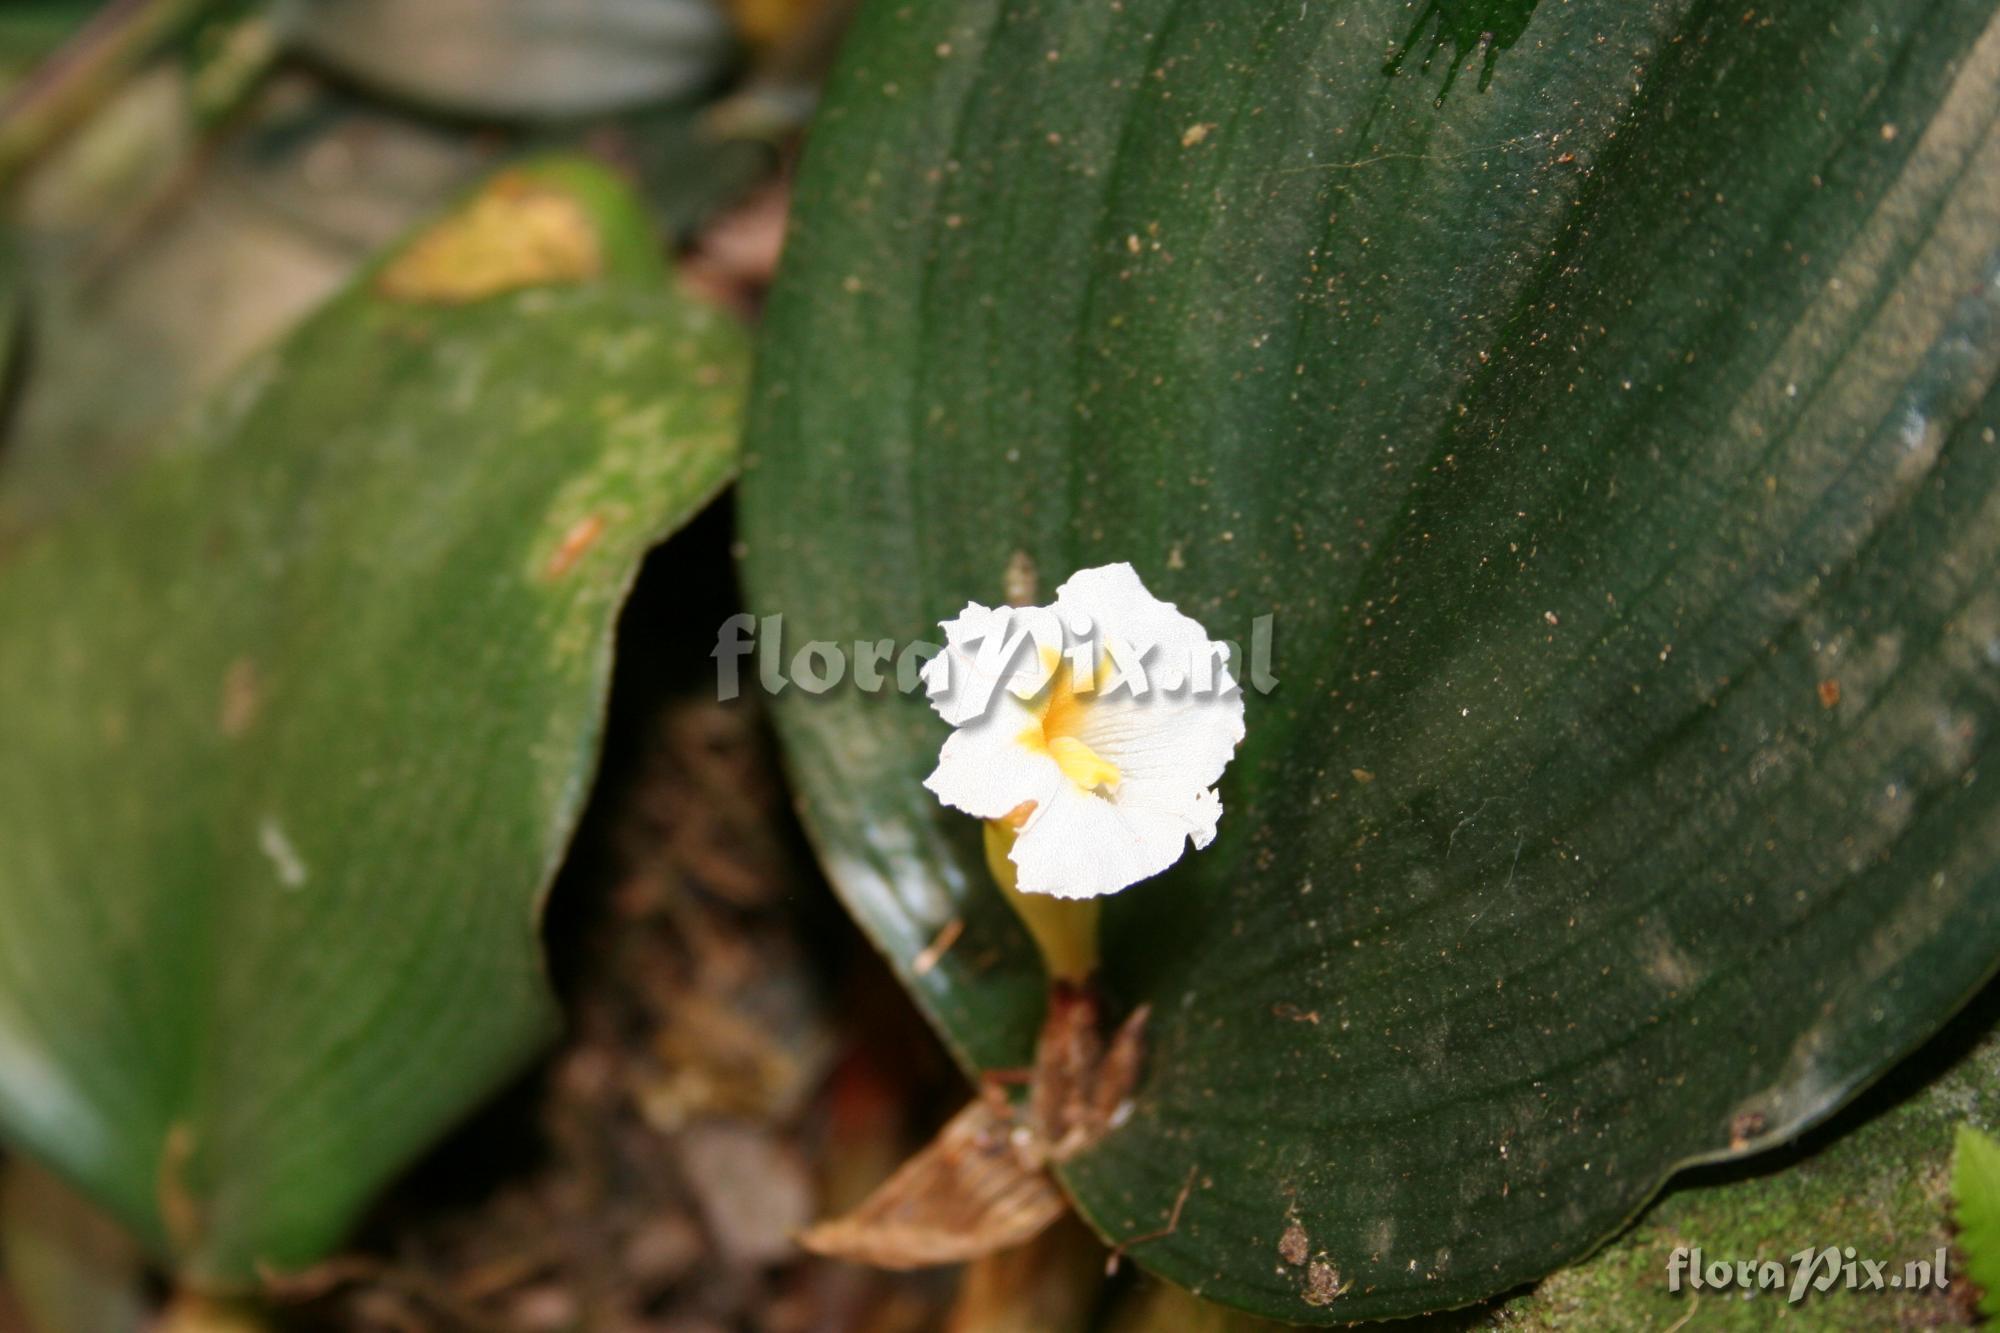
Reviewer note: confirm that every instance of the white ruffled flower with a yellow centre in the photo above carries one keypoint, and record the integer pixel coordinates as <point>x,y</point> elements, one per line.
<point>1097,728</point>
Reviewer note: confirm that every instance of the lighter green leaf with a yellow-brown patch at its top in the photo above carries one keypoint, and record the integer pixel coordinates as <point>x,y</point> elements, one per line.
<point>295,724</point>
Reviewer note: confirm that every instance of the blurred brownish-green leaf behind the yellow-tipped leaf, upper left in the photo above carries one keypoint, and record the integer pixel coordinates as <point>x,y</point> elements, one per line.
<point>171,293</point>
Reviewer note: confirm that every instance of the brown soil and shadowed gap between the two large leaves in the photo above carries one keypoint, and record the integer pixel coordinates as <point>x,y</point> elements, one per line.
<point>739,1062</point>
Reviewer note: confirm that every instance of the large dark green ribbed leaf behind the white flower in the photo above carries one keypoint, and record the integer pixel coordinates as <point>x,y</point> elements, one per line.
<point>1601,399</point>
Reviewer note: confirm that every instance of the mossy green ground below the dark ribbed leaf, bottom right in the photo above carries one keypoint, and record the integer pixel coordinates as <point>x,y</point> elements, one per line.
<point>1879,1178</point>
